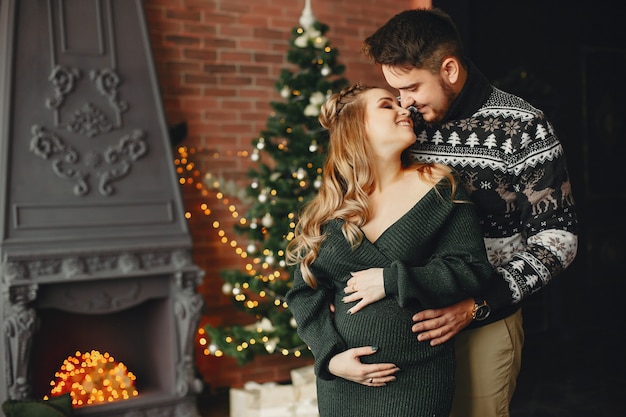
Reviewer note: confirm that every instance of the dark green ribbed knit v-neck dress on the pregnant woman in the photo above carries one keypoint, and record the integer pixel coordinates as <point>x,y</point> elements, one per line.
<point>432,256</point>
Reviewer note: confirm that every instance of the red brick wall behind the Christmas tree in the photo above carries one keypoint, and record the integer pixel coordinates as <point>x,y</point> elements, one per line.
<point>217,62</point>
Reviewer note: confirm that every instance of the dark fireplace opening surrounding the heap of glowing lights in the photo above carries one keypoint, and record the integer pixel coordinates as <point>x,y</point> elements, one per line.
<point>141,336</point>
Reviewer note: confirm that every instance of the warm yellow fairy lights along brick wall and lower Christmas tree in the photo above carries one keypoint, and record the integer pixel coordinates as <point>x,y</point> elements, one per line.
<point>211,190</point>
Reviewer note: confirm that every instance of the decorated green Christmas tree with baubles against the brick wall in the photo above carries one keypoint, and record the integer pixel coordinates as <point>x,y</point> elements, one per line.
<point>289,153</point>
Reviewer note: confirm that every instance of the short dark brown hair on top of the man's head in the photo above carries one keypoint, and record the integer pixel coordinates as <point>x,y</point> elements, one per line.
<point>419,38</point>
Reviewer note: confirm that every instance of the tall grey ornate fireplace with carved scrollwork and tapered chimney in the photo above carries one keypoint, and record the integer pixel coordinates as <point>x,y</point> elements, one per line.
<point>92,224</point>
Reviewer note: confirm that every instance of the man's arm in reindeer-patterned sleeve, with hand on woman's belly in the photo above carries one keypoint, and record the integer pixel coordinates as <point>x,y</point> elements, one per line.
<point>547,220</point>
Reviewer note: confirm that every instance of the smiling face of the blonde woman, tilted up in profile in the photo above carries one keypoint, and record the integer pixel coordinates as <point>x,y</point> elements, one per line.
<point>389,127</point>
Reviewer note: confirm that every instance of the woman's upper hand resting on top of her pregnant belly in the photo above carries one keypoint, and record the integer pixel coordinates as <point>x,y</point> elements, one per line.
<point>366,287</point>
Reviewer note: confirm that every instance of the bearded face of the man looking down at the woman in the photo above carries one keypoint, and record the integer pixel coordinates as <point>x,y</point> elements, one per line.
<point>431,94</point>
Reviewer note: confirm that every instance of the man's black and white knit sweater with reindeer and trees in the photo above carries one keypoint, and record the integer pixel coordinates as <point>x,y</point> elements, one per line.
<point>514,168</point>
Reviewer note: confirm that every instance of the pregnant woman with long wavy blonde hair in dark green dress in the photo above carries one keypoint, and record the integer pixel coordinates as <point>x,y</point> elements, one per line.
<point>406,224</point>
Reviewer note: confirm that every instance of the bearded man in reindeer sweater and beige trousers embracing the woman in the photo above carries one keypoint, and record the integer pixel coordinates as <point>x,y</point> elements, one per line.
<point>514,167</point>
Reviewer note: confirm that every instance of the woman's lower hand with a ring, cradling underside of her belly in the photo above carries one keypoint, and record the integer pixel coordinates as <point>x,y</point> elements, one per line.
<point>348,365</point>
